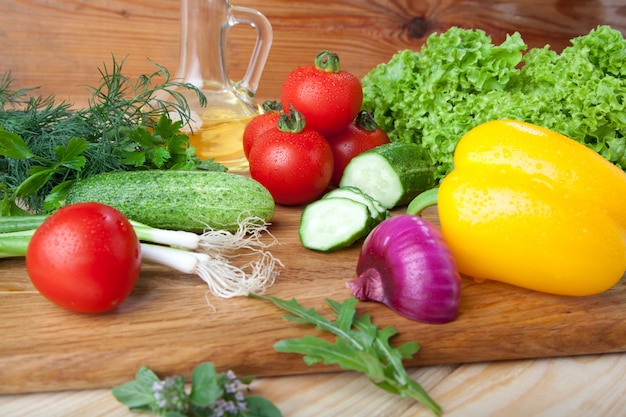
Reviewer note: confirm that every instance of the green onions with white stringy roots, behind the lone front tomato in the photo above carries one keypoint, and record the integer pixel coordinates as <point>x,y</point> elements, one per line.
<point>208,255</point>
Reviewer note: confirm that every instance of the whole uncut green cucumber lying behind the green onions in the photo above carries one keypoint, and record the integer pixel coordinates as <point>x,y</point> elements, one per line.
<point>178,200</point>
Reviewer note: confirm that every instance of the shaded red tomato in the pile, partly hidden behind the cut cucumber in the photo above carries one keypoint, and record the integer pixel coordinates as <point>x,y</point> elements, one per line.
<point>360,136</point>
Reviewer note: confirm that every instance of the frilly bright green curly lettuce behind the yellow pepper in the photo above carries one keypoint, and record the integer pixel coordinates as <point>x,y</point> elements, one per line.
<point>460,79</point>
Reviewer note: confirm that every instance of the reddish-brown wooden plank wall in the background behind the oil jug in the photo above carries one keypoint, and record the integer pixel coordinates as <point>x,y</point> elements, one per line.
<point>59,45</point>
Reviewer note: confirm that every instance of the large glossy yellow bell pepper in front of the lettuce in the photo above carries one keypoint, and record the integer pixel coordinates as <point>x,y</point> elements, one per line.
<point>530,207</point>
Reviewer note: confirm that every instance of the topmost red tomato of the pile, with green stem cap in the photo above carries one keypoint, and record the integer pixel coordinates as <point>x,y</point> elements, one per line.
<point>328,98</point>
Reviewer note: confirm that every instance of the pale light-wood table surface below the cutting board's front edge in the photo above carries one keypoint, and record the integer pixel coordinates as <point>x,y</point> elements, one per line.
<point>589,386</point>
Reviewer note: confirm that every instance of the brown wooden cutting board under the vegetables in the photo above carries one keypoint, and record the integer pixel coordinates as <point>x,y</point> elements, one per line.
<point>168,325</point>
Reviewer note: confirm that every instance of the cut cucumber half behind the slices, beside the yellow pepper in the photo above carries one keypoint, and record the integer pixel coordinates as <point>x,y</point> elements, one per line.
<point>393,173</point>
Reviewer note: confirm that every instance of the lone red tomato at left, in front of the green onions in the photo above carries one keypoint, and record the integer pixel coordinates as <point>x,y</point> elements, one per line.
<point>85,257</point>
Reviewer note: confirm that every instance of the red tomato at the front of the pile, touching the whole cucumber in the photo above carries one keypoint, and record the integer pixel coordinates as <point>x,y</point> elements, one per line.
<point>294,167</point>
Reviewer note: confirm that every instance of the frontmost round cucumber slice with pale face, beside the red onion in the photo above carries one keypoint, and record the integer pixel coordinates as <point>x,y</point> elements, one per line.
<point>334,223</point>
